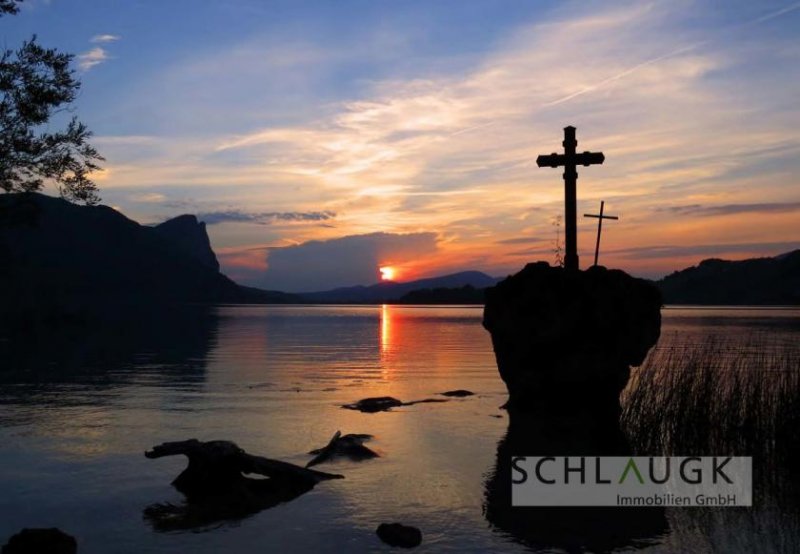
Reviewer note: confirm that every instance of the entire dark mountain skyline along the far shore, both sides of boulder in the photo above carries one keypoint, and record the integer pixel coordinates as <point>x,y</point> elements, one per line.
<point>55,251</point>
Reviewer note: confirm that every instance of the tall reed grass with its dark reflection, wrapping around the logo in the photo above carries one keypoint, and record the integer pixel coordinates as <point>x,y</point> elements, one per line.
<point>728,394</point>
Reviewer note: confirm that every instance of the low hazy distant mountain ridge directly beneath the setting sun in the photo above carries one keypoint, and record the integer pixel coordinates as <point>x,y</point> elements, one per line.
<point>391,291</point>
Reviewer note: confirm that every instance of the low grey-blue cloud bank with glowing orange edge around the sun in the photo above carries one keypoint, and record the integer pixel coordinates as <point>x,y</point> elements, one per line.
<point>346,261</point>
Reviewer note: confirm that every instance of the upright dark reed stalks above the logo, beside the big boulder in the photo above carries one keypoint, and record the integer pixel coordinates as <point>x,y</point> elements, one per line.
<point>721,395</point>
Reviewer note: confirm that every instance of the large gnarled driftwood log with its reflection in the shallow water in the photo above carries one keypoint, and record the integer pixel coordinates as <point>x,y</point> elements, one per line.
<point>216,486</point>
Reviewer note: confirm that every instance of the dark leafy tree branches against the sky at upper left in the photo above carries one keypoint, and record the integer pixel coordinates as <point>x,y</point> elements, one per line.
<point>37,83</point>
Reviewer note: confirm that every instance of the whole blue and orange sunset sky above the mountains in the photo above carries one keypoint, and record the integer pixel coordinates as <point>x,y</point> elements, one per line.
<point>322,140</point>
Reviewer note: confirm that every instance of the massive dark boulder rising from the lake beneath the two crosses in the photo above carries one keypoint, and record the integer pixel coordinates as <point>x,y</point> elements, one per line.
<point>565,340</point>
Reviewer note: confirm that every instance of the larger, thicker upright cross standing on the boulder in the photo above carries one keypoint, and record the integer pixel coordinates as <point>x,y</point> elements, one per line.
<point>570,160</point>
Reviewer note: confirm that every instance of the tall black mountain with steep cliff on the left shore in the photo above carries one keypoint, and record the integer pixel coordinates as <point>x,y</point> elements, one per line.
<point>62,256</point>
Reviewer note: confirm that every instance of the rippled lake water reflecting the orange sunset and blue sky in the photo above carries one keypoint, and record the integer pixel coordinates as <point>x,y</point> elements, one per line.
<point>79,406</point>
